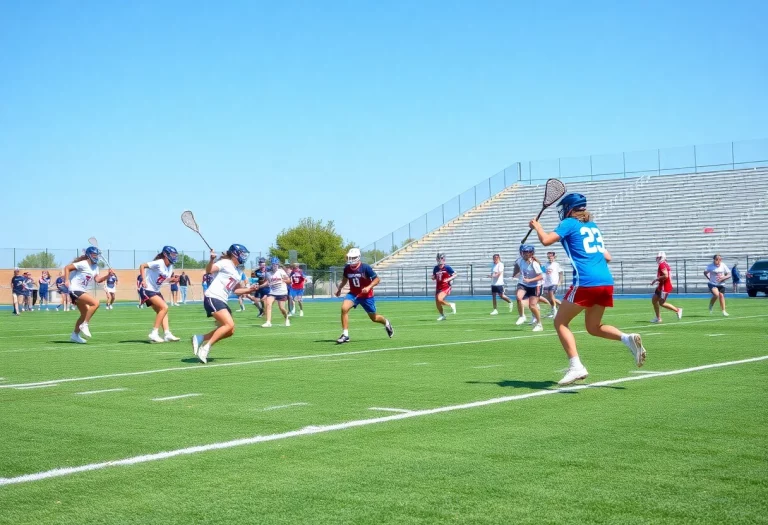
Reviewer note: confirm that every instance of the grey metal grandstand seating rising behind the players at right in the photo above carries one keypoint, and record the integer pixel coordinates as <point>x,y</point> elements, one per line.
<point>638,216</point>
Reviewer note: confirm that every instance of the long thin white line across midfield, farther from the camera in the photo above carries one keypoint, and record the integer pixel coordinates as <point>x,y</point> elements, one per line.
<point>211,366</point>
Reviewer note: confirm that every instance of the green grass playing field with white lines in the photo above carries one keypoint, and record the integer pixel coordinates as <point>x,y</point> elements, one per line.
<point>460,441</point>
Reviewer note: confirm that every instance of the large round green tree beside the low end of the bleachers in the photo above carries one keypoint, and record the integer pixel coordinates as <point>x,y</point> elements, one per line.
<point>318,244</point>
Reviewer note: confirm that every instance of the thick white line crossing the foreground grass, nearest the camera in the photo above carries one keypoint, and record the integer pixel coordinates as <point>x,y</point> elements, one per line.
<point>66,471</point>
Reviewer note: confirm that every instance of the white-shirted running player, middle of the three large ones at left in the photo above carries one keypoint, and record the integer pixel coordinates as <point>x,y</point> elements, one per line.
<point>153,274</point>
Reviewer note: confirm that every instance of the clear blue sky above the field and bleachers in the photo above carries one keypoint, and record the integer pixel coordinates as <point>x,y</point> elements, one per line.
<point>116,116</point>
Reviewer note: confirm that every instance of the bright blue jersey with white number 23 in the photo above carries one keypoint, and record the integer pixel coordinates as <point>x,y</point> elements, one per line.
<point>583,243</point>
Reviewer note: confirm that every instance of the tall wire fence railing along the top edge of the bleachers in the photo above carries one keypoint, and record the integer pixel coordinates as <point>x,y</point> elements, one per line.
<point>726,156</point>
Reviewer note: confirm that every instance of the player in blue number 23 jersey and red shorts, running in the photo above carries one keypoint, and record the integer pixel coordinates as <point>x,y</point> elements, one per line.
<point>592,288</point>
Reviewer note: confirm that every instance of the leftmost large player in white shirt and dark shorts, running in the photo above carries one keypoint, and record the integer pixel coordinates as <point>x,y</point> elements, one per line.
<point>77,278</point>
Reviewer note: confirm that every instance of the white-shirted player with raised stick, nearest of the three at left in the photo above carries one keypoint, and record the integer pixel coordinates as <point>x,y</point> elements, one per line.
<point>226,278</point>
